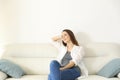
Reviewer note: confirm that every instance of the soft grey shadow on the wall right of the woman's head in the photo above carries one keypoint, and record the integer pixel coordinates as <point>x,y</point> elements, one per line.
<point>83,38</point>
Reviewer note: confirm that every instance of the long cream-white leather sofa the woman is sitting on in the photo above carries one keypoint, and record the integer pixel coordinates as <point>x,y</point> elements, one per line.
<point>35,58</point>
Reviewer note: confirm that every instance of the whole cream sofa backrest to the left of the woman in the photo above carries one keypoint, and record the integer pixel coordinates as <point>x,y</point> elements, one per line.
<point>33,58</point>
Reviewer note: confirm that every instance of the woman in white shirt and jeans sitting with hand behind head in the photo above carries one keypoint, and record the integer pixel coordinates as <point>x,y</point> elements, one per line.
<point>69,65</point>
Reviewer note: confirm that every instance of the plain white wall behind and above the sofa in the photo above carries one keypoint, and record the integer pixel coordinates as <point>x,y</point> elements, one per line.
<point>37,21</point>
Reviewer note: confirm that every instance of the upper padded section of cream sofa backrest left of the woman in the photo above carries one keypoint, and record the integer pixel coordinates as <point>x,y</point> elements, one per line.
<point>30,50</point>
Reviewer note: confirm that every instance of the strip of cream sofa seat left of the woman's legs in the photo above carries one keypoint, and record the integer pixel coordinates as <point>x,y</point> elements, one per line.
<point>30,77</point>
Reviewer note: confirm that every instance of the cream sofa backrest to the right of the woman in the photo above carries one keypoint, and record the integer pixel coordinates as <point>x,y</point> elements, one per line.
<point>98,54</point>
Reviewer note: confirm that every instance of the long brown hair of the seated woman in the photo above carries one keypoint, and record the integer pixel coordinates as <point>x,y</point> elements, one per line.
<point>72,37</point>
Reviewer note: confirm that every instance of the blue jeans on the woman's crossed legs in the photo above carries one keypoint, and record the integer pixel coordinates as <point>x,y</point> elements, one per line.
<point>57,74</point>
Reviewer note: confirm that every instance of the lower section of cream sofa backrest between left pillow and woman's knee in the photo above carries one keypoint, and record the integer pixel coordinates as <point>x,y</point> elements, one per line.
<point>33,65</point>
